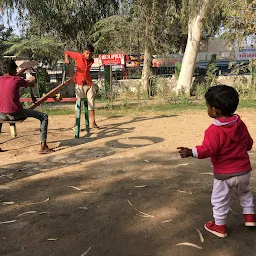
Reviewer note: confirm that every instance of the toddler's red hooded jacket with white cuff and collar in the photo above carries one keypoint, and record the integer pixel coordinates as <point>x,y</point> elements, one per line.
<point>226,141</point>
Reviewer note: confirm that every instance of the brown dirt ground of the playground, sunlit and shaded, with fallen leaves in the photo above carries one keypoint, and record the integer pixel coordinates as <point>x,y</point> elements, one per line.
<point>119,191</point>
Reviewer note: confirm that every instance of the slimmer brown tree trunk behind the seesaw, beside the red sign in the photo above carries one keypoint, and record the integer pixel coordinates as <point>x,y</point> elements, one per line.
<point>146,71</point>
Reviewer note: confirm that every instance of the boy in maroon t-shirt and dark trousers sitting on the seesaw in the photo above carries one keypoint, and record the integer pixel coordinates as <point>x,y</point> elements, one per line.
<point>10,107</point>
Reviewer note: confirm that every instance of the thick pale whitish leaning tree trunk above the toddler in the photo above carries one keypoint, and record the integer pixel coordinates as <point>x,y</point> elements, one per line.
<point>195,27</point>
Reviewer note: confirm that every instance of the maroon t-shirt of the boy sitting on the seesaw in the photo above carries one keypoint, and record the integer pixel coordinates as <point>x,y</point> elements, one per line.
<point>10,94</point>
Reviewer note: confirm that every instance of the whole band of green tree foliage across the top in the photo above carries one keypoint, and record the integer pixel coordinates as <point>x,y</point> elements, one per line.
<point>163,24</point>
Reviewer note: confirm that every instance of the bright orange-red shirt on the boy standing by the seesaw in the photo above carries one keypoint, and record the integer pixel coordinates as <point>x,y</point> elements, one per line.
<point>82,68</point>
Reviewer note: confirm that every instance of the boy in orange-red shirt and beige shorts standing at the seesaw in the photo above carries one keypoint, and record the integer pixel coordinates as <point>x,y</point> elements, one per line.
<point>82,78</point>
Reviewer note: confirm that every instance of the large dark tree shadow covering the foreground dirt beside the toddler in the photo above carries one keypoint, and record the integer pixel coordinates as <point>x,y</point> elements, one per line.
<point>169,199</point>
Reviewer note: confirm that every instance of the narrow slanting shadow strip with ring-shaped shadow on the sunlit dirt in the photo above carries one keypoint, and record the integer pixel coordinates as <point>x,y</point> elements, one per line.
<point>76,156</point>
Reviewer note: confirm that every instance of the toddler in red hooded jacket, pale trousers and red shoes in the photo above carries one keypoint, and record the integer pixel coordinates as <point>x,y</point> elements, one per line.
<point>226,142</point>
